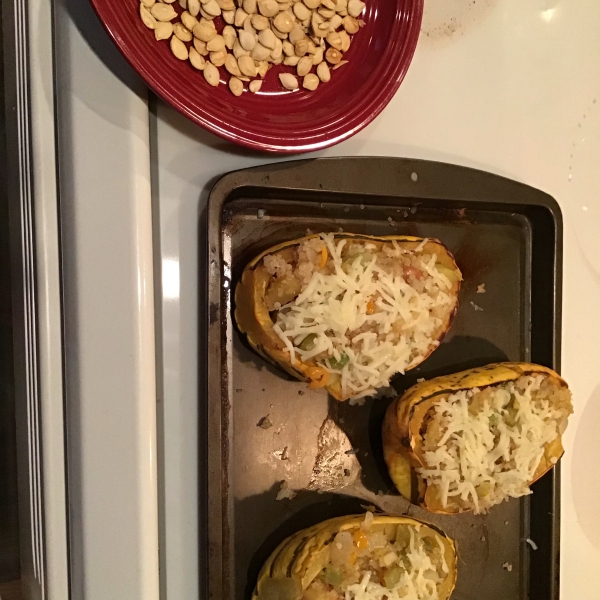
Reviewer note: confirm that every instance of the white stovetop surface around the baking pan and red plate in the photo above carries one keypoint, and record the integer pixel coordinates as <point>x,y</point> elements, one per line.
<point>507,86</point>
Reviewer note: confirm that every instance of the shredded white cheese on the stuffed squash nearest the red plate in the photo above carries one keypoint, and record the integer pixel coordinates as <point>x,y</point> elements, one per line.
<point>374,344</point>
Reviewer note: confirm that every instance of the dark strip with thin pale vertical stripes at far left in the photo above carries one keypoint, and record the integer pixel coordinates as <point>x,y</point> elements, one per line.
<point>23,249</point>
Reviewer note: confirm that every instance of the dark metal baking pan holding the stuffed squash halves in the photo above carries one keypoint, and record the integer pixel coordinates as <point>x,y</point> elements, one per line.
<point>503,234</point>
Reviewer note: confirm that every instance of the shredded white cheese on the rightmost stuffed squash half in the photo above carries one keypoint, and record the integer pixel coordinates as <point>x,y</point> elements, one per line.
<point>492,455</point>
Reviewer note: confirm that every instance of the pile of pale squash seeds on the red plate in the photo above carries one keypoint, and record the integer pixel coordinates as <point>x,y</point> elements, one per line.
<point>304,34</point>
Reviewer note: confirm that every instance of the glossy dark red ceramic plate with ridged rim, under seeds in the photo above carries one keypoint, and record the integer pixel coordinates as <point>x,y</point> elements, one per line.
<point>277,120</point>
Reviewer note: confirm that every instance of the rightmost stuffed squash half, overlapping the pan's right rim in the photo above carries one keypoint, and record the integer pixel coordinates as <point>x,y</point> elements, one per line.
<point>471,440</point>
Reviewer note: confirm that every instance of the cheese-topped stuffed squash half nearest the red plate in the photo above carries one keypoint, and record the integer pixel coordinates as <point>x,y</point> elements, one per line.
<point>347,312</point>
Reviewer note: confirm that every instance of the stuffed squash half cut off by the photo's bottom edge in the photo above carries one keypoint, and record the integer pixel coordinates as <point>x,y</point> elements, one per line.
<point>362,557</point>
